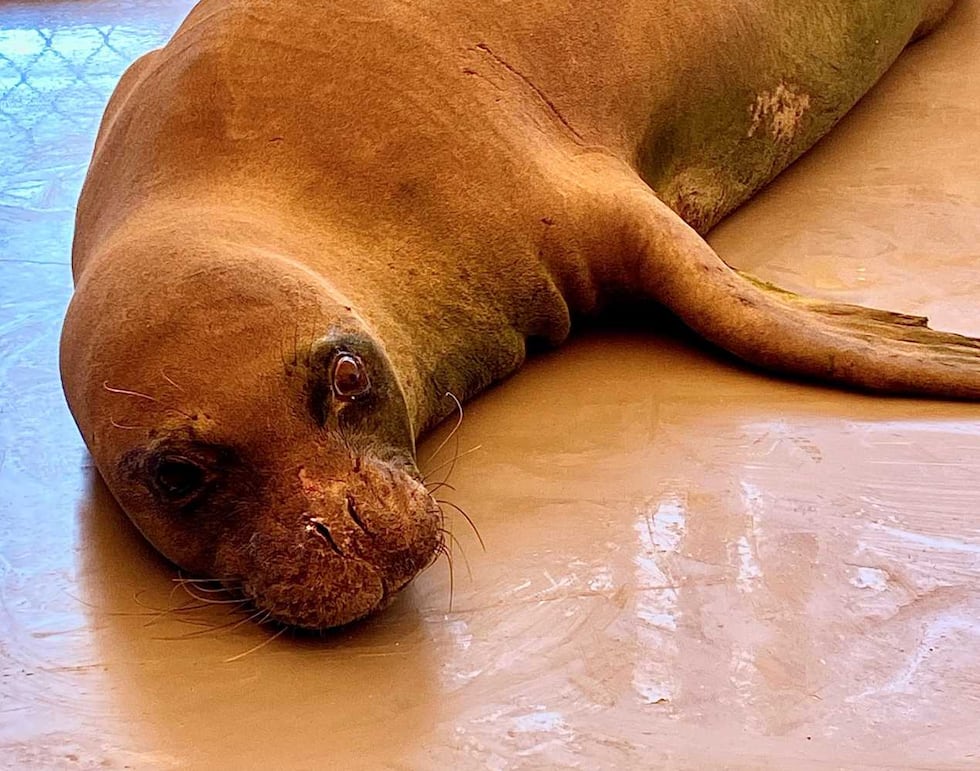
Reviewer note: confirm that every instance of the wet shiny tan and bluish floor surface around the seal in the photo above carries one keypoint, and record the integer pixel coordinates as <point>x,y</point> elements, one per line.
<point>687,564</point>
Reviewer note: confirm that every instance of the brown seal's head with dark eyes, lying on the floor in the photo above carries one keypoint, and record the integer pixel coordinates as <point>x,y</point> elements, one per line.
<point>251,425</point>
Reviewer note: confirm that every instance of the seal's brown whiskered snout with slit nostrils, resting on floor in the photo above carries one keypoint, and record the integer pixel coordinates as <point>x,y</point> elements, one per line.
<point>343,553</point>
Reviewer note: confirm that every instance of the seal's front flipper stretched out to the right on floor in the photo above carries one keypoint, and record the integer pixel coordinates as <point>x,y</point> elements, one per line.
<point>852,345</point>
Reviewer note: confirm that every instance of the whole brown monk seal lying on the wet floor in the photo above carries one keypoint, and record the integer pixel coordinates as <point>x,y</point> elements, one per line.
<point>306,223</point>
